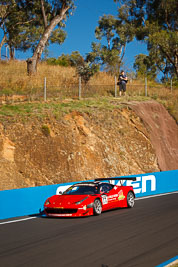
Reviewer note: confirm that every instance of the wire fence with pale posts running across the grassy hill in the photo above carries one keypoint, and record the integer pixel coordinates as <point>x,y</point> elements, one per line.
<point>51,89</point>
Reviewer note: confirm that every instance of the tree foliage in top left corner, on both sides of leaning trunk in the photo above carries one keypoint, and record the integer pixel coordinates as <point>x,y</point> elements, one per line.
<point>24,22</point>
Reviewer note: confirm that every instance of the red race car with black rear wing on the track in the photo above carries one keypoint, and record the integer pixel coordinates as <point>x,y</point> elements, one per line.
<point>90,198</point>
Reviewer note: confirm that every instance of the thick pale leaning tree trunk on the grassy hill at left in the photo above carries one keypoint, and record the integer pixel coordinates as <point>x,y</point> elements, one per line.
<point>33,61</point>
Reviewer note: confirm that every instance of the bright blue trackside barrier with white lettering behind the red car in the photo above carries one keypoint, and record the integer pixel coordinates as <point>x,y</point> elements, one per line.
<point>28,201</point>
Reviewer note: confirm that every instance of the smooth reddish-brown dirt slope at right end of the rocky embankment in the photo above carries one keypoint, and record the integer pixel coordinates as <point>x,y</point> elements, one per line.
<point>163,132</point>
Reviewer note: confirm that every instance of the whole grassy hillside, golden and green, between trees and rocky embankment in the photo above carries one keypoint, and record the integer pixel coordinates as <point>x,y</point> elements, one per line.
<point>62,83</point>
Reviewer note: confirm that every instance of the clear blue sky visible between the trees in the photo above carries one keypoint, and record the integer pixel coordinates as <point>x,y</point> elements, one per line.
<point>80,30</point>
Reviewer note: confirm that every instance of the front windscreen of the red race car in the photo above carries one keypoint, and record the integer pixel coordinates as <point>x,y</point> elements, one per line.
<point>81,190</point>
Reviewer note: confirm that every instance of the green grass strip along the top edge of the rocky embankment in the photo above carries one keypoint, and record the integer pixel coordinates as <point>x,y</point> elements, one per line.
<point>57,108</point>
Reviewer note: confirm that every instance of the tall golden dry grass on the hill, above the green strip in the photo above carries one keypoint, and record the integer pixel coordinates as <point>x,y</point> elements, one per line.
<point>62,83</point>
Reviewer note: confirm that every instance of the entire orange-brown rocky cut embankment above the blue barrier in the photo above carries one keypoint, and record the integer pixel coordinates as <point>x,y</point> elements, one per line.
<point>83,146</point>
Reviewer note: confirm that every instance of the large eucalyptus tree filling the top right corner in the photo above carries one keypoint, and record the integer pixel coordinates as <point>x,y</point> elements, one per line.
<point>156,23</point>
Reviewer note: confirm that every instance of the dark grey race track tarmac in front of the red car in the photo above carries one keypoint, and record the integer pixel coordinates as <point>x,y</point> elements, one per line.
<point>146,235</point>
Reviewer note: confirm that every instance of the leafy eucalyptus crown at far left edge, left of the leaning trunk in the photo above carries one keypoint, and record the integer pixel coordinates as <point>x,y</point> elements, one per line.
<point>19,25</point>
